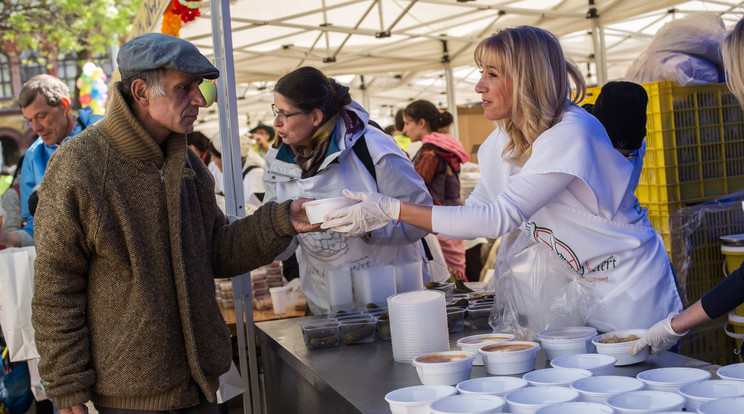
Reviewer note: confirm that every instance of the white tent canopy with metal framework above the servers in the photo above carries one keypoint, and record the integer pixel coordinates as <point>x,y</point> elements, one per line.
<point>391,51</point>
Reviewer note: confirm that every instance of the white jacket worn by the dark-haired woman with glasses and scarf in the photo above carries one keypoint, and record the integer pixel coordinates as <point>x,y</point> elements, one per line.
<point>342,169</point>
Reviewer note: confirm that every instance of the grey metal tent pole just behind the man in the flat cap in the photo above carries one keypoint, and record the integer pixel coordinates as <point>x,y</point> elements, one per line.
<point>234,200</point>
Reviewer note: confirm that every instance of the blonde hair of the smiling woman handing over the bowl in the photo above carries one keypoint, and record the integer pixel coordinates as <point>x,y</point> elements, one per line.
<point>534,59</point>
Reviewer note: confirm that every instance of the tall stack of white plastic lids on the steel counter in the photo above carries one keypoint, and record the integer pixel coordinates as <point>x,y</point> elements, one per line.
<point>418,324</point>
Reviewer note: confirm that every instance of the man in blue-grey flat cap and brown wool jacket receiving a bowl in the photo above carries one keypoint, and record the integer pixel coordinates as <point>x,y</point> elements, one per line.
<point>129,240</point>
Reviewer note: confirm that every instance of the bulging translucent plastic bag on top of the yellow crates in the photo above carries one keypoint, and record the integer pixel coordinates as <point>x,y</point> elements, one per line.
<point>686,51</point>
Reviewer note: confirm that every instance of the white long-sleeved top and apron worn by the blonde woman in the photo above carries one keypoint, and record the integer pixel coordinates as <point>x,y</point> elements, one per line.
<point>594,222</point>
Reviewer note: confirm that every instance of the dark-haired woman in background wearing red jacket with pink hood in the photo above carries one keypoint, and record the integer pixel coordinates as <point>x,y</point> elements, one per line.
<point>438,163</point>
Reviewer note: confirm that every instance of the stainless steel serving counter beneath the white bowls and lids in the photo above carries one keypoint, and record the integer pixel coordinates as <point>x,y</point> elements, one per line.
<point>355,378</point>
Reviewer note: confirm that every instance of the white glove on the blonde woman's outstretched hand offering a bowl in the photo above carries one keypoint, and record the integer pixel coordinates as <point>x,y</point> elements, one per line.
<point>373,211</point>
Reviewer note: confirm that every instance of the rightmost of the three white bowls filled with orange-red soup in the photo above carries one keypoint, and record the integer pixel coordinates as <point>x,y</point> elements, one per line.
<point>508,358</point>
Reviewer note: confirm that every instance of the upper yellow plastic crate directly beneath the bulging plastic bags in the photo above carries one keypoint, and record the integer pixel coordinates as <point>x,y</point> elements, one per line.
<point>694,143</point>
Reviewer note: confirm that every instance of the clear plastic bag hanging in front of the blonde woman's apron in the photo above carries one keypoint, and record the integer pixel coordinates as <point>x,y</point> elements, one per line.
<point>535,290</point>
